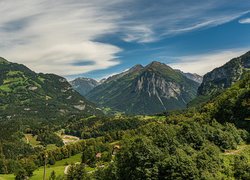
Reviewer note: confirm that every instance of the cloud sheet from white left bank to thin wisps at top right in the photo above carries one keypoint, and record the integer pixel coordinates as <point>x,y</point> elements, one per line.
<point>63,37</point>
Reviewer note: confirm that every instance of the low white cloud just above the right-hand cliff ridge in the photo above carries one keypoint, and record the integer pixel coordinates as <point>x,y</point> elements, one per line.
<point>203,63</point>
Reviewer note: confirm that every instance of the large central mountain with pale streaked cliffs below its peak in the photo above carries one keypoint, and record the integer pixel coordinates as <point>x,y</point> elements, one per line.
<point>145,90</point>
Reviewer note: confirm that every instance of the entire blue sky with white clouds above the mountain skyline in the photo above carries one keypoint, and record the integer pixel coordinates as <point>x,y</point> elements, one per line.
<point>96,39</point>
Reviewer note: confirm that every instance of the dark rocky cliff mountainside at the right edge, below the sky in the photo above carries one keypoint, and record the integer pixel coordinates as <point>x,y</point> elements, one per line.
<point>224,76</point>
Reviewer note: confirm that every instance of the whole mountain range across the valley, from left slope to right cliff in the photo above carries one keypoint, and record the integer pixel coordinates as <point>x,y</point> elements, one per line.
<point>149,89</point>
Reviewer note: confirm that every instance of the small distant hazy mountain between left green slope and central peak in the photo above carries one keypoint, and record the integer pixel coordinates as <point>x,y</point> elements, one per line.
<point>84,85</point>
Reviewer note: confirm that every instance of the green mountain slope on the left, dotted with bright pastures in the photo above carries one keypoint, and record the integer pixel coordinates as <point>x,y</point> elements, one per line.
<point>24,93</point>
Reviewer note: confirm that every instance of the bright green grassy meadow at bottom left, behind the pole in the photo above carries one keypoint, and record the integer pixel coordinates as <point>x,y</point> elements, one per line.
<point>58,167</point>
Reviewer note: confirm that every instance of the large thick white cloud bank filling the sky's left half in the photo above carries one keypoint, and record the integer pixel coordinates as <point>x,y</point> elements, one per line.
<point>52,37</point>
